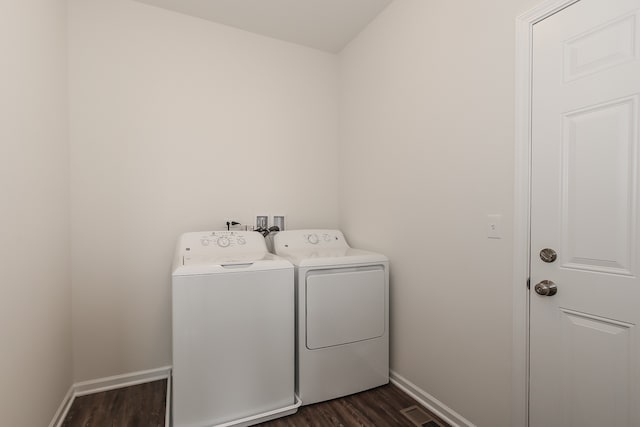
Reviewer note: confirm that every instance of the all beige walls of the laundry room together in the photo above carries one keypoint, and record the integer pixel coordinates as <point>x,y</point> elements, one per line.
<point>178,123</point>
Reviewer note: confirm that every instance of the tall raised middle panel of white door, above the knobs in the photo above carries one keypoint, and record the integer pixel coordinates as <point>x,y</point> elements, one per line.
<point>599,145</point>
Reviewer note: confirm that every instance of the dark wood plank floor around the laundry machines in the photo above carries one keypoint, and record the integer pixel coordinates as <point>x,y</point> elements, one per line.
<point>144,406</point>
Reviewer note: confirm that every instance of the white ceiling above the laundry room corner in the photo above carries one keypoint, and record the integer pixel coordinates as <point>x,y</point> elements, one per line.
<point>322,24</point>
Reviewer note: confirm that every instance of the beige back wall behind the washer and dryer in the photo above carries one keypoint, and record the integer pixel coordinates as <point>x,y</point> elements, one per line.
<point>176,124</point>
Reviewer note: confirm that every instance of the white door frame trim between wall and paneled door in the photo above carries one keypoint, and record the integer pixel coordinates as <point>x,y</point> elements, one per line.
<point>522,220</point>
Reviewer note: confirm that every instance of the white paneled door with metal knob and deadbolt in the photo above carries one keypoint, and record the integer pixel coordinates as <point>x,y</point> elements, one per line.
<point>584,343</point>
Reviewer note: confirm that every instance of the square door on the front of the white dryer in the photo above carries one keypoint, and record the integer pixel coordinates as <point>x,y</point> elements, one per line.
<point>344,305</point>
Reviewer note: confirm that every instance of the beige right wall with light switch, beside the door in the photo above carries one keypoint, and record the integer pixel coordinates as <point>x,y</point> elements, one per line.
<point>427,113</point>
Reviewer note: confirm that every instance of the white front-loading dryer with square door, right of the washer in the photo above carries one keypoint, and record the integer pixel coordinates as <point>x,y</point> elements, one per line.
<point>342,314</point>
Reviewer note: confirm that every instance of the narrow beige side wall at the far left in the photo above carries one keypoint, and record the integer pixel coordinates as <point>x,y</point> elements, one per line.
<point>35,308</point>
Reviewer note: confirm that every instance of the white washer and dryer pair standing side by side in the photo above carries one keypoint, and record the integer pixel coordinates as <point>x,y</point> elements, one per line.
<point>251,329</point>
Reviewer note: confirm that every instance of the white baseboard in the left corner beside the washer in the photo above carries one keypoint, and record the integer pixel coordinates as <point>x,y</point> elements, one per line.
<point>110,383</point>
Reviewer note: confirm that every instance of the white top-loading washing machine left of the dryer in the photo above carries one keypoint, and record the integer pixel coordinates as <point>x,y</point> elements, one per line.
<point>233,331</point>
